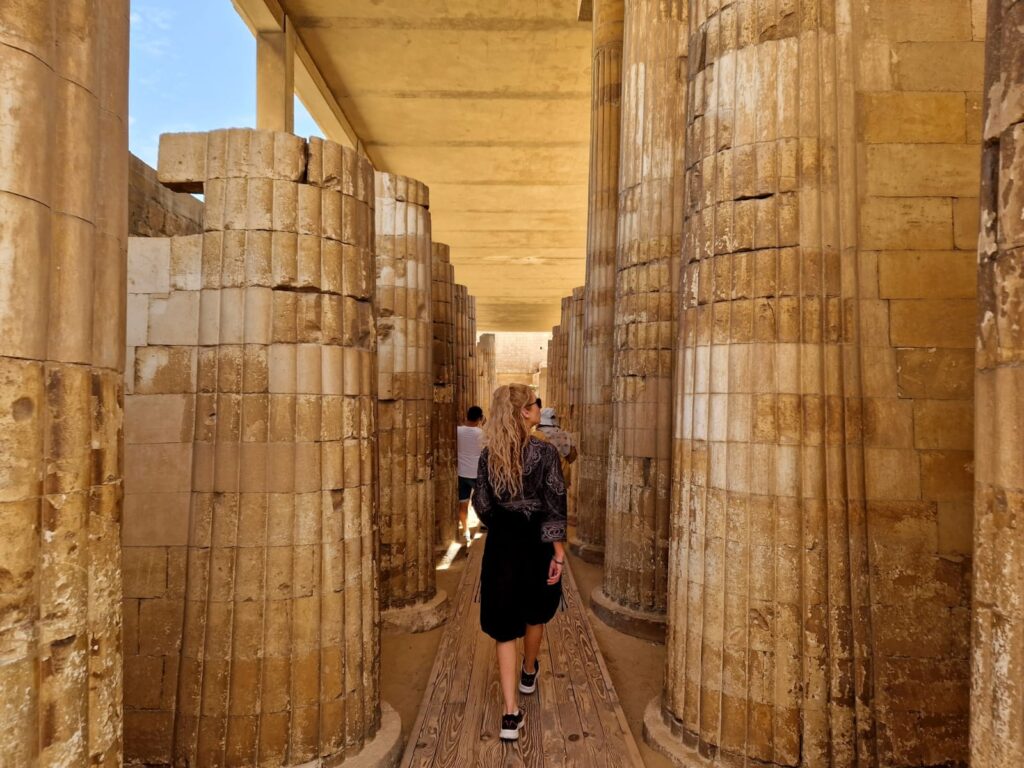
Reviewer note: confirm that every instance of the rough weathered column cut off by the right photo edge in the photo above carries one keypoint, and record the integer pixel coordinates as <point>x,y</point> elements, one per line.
<point>998,647</point>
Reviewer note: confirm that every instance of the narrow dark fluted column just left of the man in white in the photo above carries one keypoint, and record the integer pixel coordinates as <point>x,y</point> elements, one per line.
<point>445,418</point>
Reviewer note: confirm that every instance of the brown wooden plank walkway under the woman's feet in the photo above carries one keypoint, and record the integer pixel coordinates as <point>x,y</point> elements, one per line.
<point>574,719</point>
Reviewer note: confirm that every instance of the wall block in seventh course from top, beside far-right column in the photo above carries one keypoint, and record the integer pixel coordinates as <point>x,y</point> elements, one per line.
<point>933,323</point>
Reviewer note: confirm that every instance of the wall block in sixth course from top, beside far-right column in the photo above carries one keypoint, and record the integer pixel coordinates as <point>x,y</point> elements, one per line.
<point>927,275</point>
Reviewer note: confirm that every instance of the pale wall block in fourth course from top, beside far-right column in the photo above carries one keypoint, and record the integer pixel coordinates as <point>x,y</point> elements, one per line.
<point>923,170</point>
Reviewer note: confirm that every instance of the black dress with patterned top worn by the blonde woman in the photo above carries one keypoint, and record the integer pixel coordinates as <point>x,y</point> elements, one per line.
<point>515,588</point>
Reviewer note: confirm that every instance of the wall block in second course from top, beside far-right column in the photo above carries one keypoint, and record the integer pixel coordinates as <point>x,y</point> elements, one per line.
<point>940,66</point>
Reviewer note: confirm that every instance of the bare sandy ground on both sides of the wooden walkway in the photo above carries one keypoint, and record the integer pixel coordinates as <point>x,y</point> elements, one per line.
<point>636,666</point>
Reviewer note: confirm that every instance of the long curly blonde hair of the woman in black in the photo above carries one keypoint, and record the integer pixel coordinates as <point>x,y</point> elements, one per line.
<point>505,435</point>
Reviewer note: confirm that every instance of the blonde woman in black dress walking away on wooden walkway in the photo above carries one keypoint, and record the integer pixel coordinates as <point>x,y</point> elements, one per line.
<point>521,497</point>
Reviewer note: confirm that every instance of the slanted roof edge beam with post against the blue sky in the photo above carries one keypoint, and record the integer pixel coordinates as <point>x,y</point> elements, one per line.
<point>267,18</point>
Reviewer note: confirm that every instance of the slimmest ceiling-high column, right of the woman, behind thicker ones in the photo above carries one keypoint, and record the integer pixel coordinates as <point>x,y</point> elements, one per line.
<point>600,292</point>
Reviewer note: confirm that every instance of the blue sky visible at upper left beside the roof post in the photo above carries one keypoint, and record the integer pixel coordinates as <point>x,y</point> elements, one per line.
<point>193,69</point>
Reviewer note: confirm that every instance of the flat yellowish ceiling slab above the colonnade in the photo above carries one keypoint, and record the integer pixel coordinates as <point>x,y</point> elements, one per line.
<point>487,102</point>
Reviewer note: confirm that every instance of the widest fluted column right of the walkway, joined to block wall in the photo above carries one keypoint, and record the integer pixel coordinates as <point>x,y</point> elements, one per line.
<point>769,645</point>
